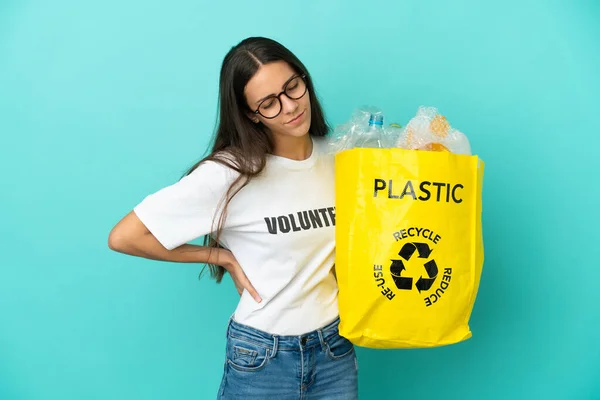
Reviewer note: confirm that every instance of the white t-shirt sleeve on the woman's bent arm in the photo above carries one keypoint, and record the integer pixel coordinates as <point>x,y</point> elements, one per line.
<point>186,210</point>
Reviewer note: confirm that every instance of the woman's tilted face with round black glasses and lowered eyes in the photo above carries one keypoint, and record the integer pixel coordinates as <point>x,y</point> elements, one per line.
<point>291,114</point>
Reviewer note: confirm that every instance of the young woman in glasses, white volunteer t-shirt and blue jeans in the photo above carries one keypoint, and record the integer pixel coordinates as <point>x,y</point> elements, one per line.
<point>264,202</point>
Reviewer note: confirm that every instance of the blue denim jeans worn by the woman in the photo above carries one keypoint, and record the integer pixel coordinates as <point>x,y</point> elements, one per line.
<point>317,365</point>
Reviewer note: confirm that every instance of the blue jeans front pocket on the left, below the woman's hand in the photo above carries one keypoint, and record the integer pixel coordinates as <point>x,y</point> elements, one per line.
<point>246,355</point>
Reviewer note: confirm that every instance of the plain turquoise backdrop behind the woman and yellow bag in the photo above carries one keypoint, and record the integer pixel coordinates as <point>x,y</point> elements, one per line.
<point>104,102</point>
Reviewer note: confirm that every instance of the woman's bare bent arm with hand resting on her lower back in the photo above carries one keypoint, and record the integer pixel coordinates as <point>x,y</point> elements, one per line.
<point>130,236</point>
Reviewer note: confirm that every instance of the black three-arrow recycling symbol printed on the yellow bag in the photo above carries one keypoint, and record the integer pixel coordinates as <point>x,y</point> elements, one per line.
<point>407,252</point>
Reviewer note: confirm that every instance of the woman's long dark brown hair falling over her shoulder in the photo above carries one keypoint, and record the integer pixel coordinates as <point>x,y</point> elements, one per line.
<point>239,143</point>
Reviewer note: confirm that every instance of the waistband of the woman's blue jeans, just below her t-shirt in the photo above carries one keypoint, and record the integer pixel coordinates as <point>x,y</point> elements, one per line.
<point>283,342</point>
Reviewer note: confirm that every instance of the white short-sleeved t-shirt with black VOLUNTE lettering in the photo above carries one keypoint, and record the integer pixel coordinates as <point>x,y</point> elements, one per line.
<point>280,228</point>
